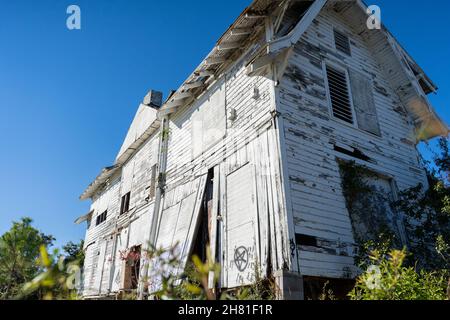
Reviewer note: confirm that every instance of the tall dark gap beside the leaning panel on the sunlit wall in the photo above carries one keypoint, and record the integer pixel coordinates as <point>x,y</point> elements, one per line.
<point>203,235</point>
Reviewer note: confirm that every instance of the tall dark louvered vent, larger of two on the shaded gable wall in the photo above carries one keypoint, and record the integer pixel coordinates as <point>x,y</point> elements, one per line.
<point>339,94</point>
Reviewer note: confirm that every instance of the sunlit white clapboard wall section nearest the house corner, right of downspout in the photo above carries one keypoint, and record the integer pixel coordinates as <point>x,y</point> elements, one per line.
<point>249,150</point>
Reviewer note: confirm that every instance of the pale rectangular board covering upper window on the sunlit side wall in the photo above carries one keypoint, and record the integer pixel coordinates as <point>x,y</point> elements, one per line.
<point>209,121</point>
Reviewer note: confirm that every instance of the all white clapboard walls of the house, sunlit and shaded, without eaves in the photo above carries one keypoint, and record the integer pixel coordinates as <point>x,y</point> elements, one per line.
<point>253,162</point>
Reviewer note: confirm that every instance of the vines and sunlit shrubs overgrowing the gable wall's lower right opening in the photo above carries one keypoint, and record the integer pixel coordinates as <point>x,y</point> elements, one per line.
<point>419,268</point>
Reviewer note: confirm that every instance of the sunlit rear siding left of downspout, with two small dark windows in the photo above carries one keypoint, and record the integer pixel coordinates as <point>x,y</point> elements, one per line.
<point>100,276</point>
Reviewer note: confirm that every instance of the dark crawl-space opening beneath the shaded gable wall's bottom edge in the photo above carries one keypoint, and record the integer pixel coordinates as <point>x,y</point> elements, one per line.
<point>327,289</point>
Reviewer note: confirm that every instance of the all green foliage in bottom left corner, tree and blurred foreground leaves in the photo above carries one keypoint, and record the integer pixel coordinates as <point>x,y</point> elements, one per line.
<point>27,271</point>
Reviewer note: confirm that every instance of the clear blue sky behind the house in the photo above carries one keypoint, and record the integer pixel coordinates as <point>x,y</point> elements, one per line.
<point>68,97</point>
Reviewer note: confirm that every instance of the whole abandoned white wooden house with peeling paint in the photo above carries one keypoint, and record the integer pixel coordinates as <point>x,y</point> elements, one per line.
<point>244,156</point>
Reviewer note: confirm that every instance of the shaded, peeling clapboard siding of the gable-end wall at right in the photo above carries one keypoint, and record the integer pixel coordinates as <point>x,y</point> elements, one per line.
<point>310,135</point>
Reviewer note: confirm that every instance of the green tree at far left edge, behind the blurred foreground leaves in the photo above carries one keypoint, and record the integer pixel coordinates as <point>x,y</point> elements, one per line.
<point>19,252</point>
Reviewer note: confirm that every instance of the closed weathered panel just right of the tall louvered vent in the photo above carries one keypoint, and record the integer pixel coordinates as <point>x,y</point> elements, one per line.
<point>364,103</point>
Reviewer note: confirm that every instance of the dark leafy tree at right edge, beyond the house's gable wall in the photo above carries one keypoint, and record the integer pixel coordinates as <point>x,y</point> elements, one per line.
<point>431,208</point>
